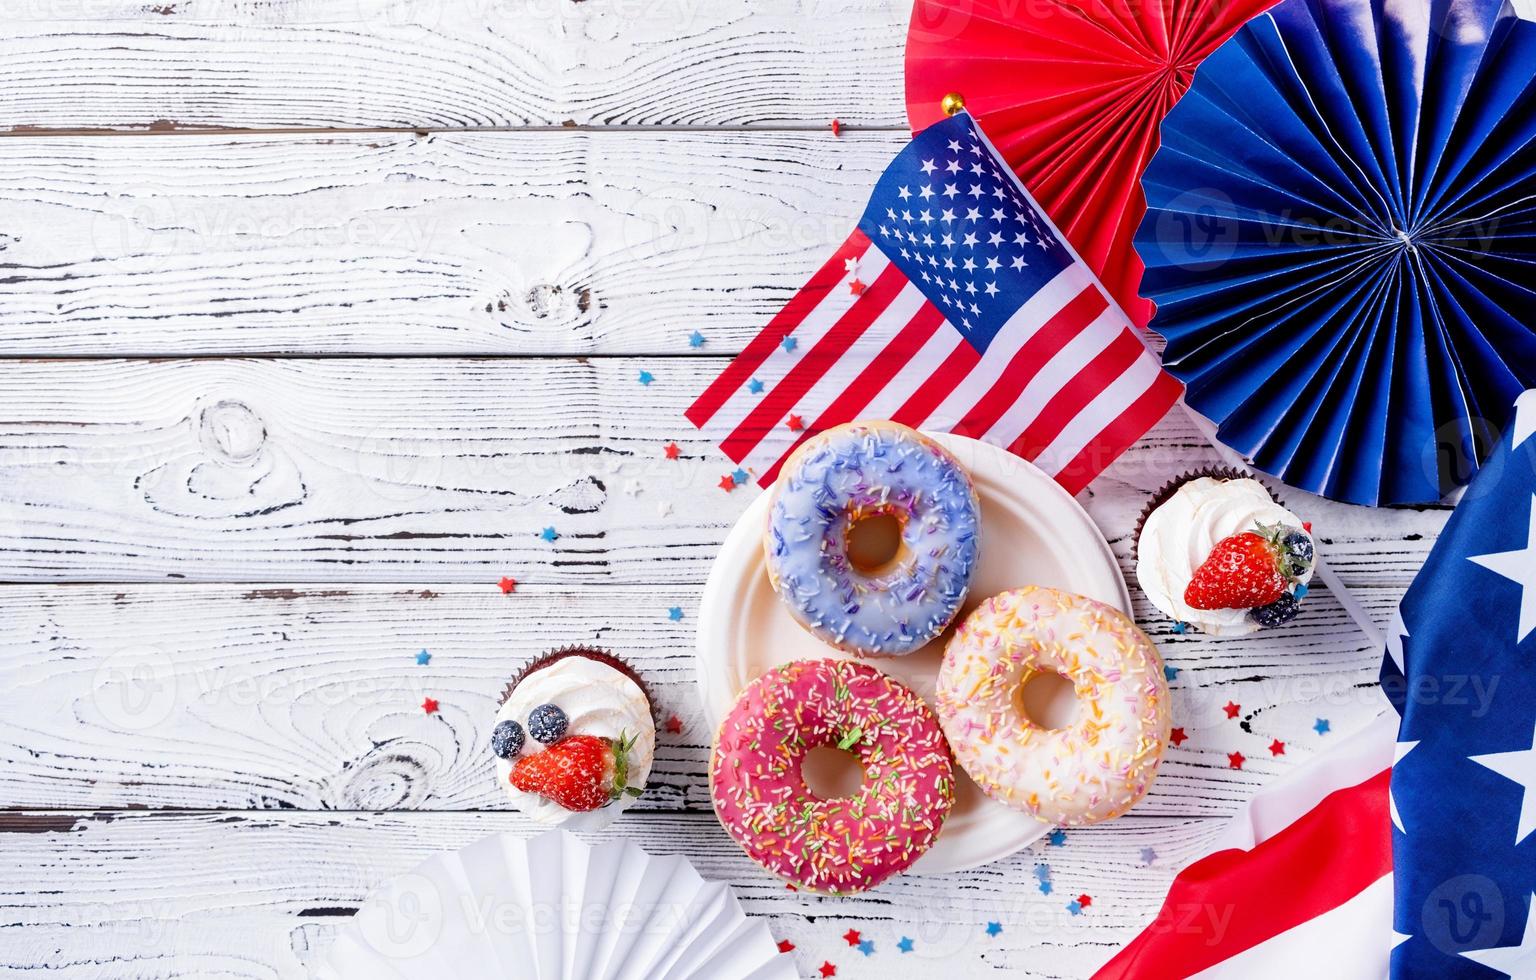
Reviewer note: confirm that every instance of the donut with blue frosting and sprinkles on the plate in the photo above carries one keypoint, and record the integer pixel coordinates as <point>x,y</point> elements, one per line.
<point>895,600</point>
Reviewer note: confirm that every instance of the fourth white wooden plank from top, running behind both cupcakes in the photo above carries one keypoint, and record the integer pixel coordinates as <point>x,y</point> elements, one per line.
<point>308,698</point>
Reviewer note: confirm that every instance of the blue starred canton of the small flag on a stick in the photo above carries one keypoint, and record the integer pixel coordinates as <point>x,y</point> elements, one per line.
<point>952,217</point>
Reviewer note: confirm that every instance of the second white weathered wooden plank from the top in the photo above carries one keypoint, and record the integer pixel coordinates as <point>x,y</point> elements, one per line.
<point>391,243</point>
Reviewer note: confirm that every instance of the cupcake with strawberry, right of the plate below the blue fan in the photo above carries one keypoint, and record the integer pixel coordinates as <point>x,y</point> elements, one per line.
<point>1217,552</point>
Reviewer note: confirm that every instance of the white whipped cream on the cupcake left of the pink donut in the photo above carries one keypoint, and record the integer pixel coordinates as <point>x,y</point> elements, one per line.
<point>598,701</point>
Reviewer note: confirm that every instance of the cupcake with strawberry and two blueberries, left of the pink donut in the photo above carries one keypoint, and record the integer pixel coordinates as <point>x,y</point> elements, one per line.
<point>575,740</point>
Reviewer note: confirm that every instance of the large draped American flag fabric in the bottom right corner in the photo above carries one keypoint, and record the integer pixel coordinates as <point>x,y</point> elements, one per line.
<point>1412,850</point>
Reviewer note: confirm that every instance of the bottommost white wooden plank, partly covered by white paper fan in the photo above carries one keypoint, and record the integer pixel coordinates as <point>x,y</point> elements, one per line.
<point>151,896</point>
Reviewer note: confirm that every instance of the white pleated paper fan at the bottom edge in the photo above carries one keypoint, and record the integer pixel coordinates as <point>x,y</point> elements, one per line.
<point>554,909</point>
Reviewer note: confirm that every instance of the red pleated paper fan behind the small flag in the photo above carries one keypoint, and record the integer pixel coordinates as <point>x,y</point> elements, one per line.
<point>1073,96</point>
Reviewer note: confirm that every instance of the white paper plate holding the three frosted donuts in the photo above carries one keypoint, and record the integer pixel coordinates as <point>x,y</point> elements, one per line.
<point>1033,534</point>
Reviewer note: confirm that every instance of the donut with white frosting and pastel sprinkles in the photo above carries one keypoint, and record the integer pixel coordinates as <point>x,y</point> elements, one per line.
<point>1097,767</point>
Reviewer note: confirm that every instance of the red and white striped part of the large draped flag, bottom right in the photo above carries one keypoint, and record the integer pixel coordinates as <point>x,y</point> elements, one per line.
<point>1300,886</point>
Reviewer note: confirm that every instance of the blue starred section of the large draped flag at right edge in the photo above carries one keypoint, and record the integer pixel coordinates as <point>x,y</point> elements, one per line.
<point>1462,670</point>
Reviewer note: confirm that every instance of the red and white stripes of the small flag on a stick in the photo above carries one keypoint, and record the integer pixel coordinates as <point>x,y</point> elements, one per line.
<point>1067,385</point>
